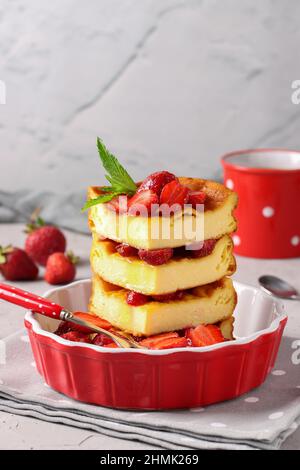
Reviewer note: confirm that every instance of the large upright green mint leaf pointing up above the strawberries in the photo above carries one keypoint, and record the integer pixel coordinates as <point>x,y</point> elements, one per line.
<point>118,177</point>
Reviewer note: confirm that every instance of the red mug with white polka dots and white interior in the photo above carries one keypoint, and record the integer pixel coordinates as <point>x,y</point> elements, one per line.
<point>268,184</point>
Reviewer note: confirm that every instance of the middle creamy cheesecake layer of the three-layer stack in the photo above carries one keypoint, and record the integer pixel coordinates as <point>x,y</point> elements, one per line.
<point>177,274</point>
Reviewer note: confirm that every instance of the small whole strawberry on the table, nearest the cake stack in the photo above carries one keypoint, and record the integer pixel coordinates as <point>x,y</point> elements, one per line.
<point>60,268</point>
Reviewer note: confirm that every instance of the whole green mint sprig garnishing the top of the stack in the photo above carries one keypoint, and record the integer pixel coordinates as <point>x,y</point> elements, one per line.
<point>119,179</point>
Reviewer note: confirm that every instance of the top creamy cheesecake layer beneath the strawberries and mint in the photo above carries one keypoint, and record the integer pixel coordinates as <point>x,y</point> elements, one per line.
<point>169,232</point>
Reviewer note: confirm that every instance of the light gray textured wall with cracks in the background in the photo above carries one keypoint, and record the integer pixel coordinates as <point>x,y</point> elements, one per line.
<point>166,83</point>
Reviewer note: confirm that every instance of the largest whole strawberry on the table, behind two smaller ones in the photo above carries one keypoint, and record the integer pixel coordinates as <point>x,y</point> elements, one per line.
<point>43,240</point>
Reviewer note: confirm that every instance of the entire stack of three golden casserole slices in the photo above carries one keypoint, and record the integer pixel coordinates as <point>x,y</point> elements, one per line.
<point>191,288</point>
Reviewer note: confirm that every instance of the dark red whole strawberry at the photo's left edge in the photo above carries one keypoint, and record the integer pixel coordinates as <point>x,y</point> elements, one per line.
<point>16,265</point>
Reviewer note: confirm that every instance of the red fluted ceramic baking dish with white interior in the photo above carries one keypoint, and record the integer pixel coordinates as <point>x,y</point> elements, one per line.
<point>152,379</point>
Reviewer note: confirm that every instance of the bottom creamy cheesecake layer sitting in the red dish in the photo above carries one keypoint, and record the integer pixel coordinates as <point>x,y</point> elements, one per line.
<point>208,304</point>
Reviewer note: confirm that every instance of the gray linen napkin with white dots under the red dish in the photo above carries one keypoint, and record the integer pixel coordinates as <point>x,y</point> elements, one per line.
<point>262,419</point>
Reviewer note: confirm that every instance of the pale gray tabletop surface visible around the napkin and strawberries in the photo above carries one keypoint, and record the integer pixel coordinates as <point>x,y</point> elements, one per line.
<point>18,432</point>
